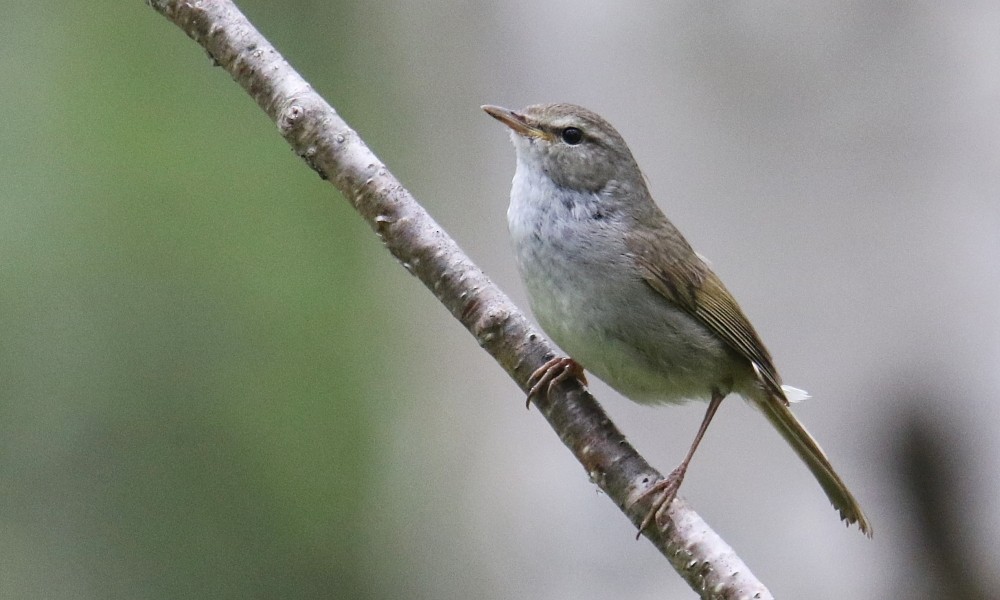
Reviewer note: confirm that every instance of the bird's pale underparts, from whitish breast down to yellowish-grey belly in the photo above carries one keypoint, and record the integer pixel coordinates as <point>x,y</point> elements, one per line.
<point>589,297</point>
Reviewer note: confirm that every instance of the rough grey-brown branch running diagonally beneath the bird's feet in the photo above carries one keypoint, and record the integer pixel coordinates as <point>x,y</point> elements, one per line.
<point>331,148</point>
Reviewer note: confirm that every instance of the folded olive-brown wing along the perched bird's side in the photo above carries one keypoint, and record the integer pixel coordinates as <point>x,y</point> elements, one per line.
<point>689,283</point>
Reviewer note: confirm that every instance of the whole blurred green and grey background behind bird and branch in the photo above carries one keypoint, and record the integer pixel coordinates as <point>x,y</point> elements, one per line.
<point>214,382</point>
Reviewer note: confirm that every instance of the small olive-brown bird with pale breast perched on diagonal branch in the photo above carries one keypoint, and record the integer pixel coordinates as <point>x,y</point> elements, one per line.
<point>617,286</point>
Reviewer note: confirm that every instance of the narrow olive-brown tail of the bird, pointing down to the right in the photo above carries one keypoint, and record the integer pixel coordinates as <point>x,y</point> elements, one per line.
<point>805,446</point>
